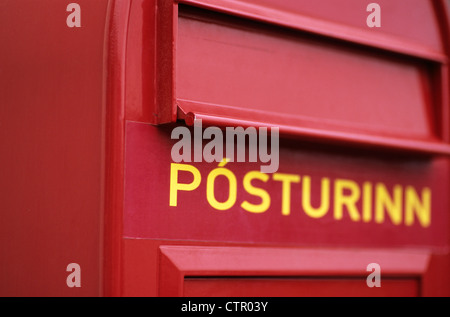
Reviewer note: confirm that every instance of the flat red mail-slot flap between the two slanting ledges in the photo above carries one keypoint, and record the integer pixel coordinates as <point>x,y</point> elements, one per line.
<point>231,62</point>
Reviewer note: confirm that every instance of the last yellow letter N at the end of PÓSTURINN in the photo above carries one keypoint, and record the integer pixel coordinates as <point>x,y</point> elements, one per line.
<point>413,205</point>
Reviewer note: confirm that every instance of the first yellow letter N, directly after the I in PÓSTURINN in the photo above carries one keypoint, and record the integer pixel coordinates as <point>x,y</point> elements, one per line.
<point>383,201</point>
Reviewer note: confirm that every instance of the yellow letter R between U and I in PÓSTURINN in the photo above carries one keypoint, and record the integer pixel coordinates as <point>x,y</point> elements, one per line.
<point>341,200</point>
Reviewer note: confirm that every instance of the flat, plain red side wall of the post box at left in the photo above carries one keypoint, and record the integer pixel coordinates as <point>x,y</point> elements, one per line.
<point>51,96</point>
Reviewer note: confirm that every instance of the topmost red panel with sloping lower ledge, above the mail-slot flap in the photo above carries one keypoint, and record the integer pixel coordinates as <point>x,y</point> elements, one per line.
<point>346,19</point>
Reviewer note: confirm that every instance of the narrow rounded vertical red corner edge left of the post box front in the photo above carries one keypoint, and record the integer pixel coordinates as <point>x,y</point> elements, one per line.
<point>114,142</point>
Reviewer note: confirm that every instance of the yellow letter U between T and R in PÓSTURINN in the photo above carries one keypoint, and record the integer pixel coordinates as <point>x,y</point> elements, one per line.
<point>306,198</point>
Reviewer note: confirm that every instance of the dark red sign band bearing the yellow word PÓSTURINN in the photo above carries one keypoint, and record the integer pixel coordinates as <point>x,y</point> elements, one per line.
<point>399,200</point>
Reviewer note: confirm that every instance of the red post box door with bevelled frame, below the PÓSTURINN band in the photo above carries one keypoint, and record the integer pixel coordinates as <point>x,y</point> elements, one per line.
<point>195,271</point>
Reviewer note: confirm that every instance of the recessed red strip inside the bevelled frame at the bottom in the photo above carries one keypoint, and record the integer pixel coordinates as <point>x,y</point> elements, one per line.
<point>297,287</point>
